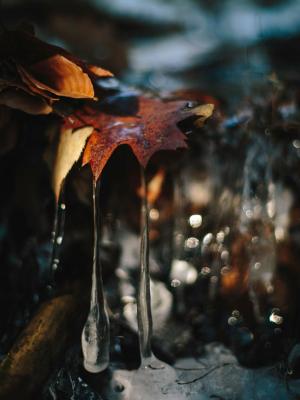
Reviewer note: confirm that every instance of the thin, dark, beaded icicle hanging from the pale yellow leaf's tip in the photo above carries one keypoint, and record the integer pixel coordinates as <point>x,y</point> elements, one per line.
<point>58,233</point>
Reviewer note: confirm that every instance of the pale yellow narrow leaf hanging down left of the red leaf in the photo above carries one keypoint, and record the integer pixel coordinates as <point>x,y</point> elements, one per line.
<point>70,147</point>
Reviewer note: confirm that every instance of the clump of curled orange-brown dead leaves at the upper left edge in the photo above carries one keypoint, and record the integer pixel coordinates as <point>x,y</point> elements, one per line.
<point>29,66</point>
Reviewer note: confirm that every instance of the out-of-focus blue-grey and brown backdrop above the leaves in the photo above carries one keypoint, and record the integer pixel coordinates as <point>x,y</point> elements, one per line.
<point>165,45</point>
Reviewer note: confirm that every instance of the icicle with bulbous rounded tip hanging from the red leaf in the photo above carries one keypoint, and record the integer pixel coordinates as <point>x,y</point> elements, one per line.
<point>95,335</point>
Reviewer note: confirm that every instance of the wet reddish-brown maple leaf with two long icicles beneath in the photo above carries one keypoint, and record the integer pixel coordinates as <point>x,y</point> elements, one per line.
<point>154,128</point>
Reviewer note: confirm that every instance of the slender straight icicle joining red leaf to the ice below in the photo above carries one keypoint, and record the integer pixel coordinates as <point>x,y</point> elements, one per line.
<point>144,296</point>
